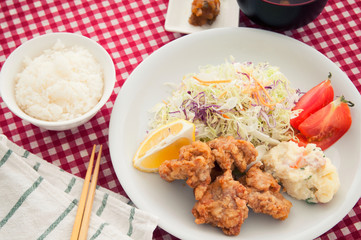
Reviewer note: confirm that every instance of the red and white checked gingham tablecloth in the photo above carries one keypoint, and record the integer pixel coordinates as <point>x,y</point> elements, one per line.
<point>130,31</point>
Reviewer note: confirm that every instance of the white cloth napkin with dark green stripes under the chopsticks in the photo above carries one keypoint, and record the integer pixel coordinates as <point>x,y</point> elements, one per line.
<point>39,201</point>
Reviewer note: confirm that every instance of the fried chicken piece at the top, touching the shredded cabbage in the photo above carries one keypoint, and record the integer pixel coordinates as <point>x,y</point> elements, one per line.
<point>230,152</point>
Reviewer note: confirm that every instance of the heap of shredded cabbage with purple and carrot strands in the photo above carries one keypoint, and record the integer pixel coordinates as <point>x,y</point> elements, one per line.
<point>249,101</point>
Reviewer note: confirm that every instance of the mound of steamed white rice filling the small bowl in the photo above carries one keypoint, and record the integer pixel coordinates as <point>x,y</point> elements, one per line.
<point>62,83</point>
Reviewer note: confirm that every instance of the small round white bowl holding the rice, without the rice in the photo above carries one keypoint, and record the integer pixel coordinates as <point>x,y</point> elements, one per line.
<point>34,48</point>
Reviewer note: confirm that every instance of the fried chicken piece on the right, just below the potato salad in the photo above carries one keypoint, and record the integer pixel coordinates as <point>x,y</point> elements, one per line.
<point>264,193</point>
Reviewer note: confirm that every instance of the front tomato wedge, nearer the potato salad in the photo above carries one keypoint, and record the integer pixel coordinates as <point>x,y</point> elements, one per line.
<point>328,124</point>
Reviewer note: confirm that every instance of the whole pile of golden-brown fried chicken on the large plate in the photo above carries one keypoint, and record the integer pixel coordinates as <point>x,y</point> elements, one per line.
<point>222,200</point>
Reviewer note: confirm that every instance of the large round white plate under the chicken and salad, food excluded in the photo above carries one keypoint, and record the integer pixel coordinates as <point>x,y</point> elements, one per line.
<point>172,202</point>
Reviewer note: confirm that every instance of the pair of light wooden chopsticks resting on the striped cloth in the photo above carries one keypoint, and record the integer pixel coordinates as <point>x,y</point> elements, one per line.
<point>82,219</point>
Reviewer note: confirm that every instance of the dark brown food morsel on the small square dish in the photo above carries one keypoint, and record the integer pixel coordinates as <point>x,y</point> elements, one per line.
<point>204,11</point>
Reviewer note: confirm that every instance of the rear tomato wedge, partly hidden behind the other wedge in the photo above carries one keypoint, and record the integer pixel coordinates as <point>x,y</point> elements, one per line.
<point>313,100</point>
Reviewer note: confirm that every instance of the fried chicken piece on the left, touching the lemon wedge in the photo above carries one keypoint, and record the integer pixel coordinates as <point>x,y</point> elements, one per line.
<point>194,165</point>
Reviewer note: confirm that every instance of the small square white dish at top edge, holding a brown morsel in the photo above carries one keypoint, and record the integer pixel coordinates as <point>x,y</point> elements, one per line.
<point>180,10</point>
